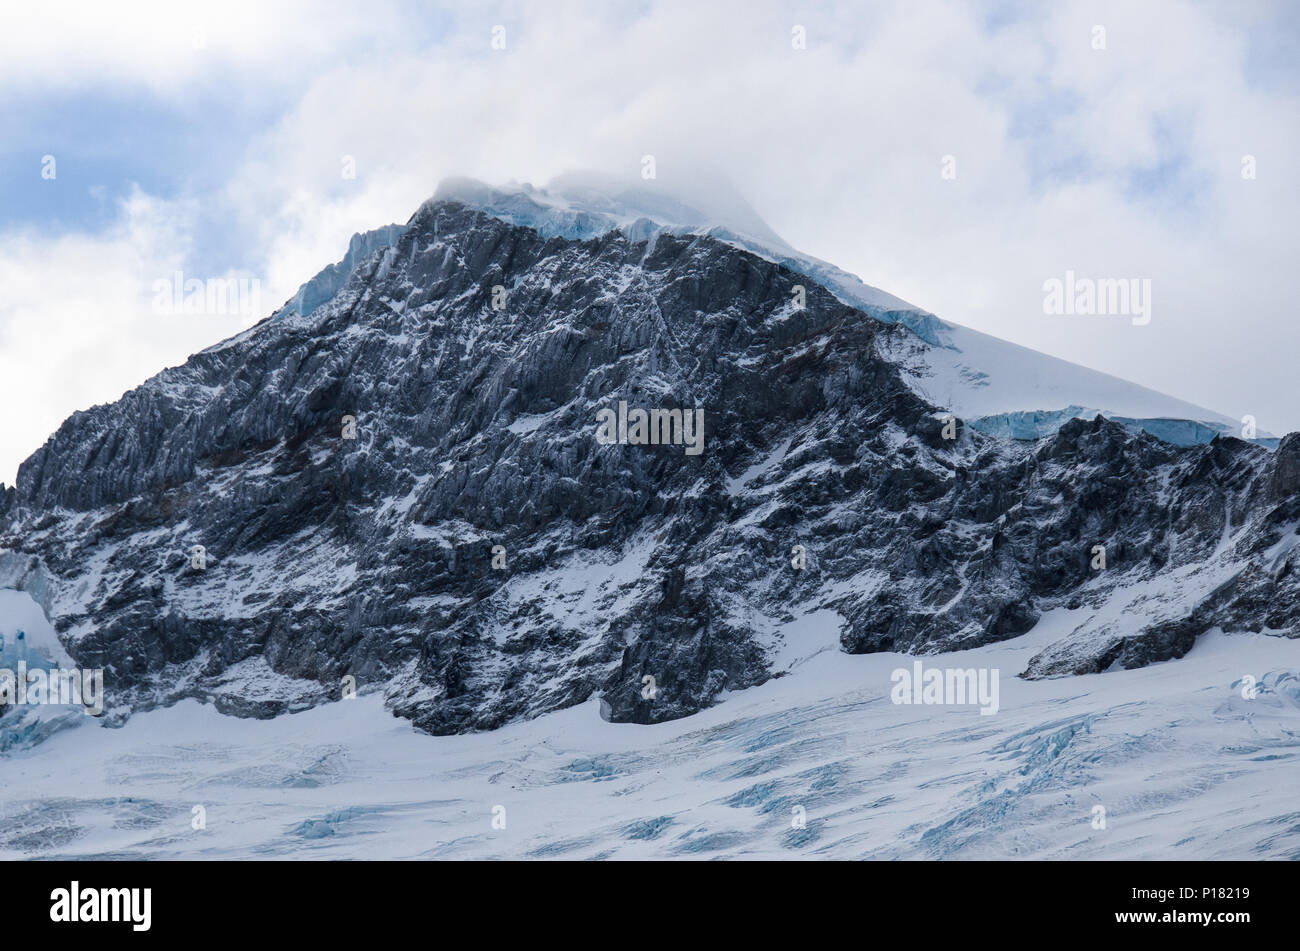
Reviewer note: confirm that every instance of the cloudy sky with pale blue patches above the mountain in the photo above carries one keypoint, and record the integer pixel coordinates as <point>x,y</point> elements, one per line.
<point>211,141</point>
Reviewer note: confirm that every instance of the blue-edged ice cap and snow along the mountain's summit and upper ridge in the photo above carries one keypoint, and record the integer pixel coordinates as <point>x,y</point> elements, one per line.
<point>996,387</point>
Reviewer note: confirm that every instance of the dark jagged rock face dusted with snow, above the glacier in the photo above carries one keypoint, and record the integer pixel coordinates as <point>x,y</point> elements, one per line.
<point>476,427</point>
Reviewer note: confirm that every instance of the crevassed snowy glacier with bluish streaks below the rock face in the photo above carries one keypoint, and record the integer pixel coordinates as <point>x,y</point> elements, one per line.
<point>1184,766</point>
